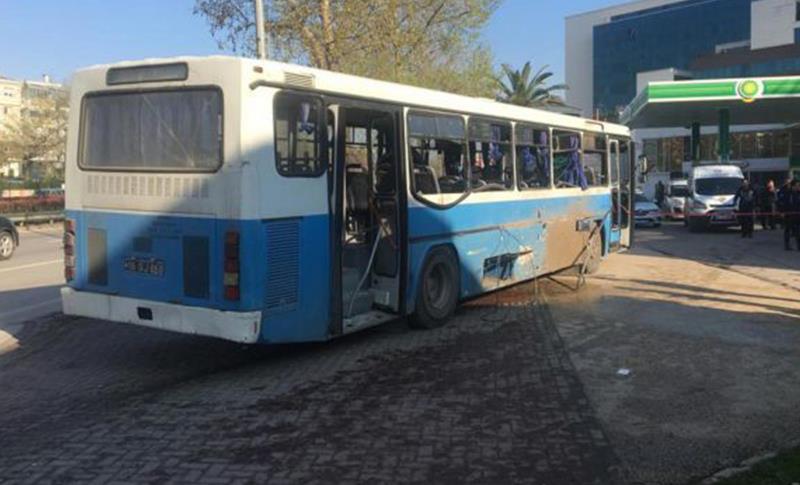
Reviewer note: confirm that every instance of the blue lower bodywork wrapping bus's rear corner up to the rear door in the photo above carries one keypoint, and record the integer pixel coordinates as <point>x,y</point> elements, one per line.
<point>283,266</point>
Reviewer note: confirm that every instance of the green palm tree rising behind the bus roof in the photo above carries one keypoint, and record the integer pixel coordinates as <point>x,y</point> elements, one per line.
<point>519,88</point>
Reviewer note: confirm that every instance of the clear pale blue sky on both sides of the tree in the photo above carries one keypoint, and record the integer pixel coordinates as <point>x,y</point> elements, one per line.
<point>56,37</point>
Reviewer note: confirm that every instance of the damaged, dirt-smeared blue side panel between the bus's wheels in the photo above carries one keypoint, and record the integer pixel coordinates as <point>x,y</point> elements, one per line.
<point>502,243</point>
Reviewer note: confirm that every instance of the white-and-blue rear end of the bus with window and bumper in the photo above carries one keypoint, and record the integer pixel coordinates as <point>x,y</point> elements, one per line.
<point>153,228</point>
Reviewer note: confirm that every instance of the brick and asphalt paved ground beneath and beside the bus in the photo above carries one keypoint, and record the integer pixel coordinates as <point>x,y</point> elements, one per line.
<point>509,392</point>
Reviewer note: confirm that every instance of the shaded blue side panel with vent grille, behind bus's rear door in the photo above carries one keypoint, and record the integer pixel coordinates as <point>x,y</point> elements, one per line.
<point>297,280</point>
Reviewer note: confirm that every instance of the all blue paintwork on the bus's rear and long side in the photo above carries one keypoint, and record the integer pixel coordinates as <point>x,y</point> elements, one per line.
<point>477,232</point>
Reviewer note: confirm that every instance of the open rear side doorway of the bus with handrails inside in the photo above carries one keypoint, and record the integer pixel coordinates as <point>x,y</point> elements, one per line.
<point>367,163</point>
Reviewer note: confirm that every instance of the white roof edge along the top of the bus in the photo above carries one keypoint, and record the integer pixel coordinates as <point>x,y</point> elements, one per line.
<point>302,77</point>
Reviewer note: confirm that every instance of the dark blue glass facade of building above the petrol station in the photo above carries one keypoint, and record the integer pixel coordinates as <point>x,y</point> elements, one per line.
<point>705,38</point>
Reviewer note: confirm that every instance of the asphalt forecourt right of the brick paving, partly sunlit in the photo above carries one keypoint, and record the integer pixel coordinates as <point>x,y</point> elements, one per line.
<point>709,327</point>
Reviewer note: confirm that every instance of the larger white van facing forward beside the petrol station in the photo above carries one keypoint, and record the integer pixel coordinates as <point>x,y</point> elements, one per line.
<point>709,202</point>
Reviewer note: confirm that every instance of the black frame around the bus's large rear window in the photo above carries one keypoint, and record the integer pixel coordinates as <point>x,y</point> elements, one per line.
<point>109,92</point>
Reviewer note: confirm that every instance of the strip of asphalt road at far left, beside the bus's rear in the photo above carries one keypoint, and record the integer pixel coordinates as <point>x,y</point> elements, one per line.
<point>30,280</point>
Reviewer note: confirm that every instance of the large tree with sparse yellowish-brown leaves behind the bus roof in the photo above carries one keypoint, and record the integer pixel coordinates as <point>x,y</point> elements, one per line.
<point>430,43</point>
